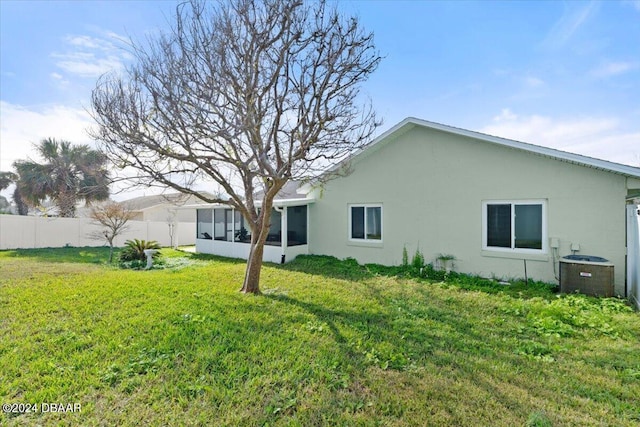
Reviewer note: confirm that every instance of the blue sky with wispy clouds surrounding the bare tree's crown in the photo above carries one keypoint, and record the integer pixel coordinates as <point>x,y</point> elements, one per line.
<point>560,74</point>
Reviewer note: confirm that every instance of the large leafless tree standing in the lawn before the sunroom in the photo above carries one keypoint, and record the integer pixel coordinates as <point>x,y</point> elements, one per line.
<point>249,94</point>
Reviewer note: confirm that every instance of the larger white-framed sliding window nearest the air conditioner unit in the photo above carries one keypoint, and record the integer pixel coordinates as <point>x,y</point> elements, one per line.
<point>514,226</point>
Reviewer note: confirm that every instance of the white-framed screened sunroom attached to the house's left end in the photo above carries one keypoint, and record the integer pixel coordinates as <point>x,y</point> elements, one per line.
<point>222,230</point>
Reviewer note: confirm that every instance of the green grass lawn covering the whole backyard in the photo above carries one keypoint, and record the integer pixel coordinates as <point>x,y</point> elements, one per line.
<point>329,343</point>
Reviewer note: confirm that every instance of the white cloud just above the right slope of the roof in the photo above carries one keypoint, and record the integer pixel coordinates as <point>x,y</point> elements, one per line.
<point>599,137</point>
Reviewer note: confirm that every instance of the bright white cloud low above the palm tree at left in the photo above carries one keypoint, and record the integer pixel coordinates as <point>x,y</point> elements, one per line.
<point>21,127</point>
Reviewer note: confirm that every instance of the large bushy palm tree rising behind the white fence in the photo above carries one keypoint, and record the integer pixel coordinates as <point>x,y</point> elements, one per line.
<point>70,173</point>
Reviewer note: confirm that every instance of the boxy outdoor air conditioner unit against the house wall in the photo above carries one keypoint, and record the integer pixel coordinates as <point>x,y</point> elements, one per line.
<point>589,275</point>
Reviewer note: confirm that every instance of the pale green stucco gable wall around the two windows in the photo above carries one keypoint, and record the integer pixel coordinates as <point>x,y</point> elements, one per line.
<point>432,185</point>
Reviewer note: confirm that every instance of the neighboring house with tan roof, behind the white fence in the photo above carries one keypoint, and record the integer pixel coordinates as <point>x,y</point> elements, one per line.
<point>170,207</point>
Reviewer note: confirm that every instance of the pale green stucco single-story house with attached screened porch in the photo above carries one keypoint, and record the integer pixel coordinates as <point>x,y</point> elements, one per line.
<point>499,206</point>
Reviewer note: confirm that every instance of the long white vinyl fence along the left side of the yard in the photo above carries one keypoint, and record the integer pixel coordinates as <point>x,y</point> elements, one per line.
<point>26,232</point>
